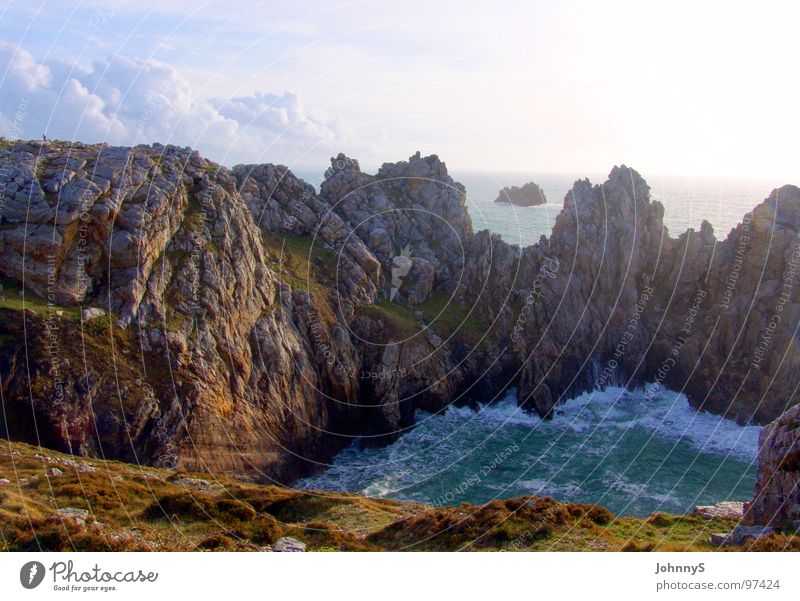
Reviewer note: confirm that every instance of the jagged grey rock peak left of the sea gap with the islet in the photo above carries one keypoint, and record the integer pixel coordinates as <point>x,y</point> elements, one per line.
<point>410,215</point>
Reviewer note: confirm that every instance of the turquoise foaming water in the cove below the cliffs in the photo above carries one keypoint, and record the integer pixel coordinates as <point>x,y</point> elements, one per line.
<point>624,450</point>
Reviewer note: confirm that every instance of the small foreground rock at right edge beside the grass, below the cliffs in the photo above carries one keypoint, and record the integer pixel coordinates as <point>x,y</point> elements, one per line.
<point>777,497</point>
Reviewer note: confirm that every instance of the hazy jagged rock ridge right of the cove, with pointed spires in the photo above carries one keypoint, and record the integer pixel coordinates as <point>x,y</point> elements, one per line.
<point>611,299</point>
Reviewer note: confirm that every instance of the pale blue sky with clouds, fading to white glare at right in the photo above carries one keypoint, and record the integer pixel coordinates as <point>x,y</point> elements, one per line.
<point>683,88</point>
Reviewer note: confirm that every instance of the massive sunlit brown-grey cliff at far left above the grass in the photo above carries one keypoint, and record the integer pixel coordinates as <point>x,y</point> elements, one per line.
<point>215,365</point>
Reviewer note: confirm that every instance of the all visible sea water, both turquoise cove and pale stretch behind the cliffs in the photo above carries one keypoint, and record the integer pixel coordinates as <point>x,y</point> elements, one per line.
<point>633,452</point>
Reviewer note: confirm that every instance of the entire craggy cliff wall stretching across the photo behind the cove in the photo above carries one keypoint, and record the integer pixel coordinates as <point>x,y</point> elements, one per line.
<point>255,326</point>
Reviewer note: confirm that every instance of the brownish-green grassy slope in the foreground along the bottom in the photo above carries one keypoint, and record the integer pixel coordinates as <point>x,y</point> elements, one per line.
<point>141,508</point>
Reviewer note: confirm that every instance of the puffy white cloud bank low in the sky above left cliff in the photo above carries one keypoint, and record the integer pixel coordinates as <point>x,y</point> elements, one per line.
<point>123,100</point>
